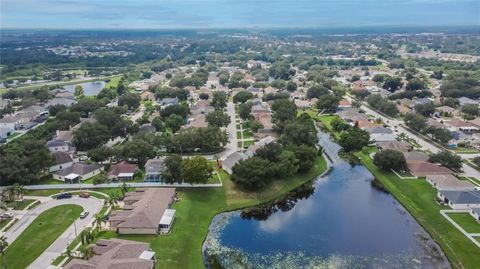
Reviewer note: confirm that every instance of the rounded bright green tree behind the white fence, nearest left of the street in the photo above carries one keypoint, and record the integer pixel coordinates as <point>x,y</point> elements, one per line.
<point>196,170</point>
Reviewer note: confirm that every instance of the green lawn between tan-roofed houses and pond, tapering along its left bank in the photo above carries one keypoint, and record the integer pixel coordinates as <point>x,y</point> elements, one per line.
<point>182,247</point>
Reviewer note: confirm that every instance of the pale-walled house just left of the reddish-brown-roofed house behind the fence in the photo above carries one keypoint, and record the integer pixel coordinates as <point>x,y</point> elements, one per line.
<point>77,172</point>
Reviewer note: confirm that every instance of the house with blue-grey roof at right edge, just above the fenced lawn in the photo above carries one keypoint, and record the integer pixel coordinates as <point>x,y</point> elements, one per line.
<point>460,199</point>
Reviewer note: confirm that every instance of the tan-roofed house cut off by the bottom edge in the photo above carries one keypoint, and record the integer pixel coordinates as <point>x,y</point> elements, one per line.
<point>116,253</point>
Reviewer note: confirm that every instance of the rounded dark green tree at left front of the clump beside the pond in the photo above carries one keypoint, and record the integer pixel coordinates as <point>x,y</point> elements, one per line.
<point>253,173</point>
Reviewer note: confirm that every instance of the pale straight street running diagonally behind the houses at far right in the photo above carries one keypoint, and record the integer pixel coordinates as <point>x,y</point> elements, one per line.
<point>395,124</point>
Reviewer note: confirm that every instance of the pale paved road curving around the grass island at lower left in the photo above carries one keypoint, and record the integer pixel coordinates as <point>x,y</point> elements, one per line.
<point>26,217</point>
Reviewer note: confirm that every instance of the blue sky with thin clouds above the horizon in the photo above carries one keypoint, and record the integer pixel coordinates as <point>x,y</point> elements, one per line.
<point>159,14</point>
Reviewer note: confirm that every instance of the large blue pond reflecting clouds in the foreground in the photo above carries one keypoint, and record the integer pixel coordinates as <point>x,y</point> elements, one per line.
<point>343,223</point>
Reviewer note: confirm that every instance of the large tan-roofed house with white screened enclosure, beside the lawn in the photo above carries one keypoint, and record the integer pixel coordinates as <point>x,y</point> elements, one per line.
<point>142,211</point>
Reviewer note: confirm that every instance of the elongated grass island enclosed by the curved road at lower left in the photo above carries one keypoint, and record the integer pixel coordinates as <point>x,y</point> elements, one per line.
<point>39,235</point>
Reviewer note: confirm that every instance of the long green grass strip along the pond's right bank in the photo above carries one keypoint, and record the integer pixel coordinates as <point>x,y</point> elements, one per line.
<point>418,197</point>
